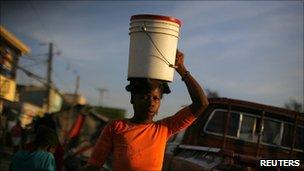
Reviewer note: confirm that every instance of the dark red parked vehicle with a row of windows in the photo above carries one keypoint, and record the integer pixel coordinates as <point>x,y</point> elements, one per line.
<point>235,135</point>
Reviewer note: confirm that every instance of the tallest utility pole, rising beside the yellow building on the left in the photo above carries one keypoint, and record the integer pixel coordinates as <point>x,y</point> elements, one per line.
<point>49,76</point>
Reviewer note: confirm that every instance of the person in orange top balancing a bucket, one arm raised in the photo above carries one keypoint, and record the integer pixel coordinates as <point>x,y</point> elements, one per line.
<point>139,143</point>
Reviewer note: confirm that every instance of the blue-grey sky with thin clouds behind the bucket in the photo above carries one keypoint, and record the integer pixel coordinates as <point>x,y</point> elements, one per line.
<point>249,50</point>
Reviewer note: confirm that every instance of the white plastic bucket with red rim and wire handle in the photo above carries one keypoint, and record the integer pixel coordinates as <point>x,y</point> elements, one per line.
<point>153,44</point>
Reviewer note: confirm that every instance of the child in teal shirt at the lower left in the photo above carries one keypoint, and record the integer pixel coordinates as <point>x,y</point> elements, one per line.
<point>41,156</point>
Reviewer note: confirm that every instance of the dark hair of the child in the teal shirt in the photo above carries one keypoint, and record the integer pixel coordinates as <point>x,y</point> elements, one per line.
<point>46,136</point>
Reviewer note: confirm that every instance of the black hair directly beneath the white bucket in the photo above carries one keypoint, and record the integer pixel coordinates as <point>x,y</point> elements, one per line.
<point>140,85</point>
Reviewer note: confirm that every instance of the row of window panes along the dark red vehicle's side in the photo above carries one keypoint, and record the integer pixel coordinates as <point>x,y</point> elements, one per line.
<point>245,126</point>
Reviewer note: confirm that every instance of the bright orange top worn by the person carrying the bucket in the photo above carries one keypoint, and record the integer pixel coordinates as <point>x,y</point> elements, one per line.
<point>138,146</point>
